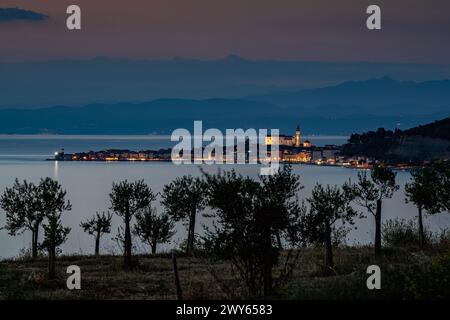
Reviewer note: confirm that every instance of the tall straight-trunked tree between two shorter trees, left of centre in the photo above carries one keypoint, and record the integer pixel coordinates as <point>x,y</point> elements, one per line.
<point>128,199</point>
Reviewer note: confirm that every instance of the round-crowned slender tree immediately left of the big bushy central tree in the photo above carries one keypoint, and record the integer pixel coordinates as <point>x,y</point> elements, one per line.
<point>183,199</point>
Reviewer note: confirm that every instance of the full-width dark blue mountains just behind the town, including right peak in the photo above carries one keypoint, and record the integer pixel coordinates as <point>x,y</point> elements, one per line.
<point>341,109</point>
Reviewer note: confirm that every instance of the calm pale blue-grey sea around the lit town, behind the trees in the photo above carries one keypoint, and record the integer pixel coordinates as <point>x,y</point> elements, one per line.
<point>88,184</point>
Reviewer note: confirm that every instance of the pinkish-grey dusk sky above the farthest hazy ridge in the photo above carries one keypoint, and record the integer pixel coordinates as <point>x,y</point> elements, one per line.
<point>413,30</point>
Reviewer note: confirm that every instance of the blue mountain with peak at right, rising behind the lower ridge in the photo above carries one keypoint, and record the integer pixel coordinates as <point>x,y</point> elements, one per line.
<point>381,96</point>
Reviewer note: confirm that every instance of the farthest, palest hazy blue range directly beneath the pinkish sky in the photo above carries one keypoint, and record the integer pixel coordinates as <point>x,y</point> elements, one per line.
<point>104,80</point>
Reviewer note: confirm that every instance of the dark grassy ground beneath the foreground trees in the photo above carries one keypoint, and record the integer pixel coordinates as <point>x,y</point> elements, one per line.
<point>406,273</point>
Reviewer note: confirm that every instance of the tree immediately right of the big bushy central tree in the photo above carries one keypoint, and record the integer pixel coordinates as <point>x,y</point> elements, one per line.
<point>328,205</point>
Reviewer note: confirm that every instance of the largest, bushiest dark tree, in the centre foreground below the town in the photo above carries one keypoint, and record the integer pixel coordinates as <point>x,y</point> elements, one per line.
<point>248,221</point>
